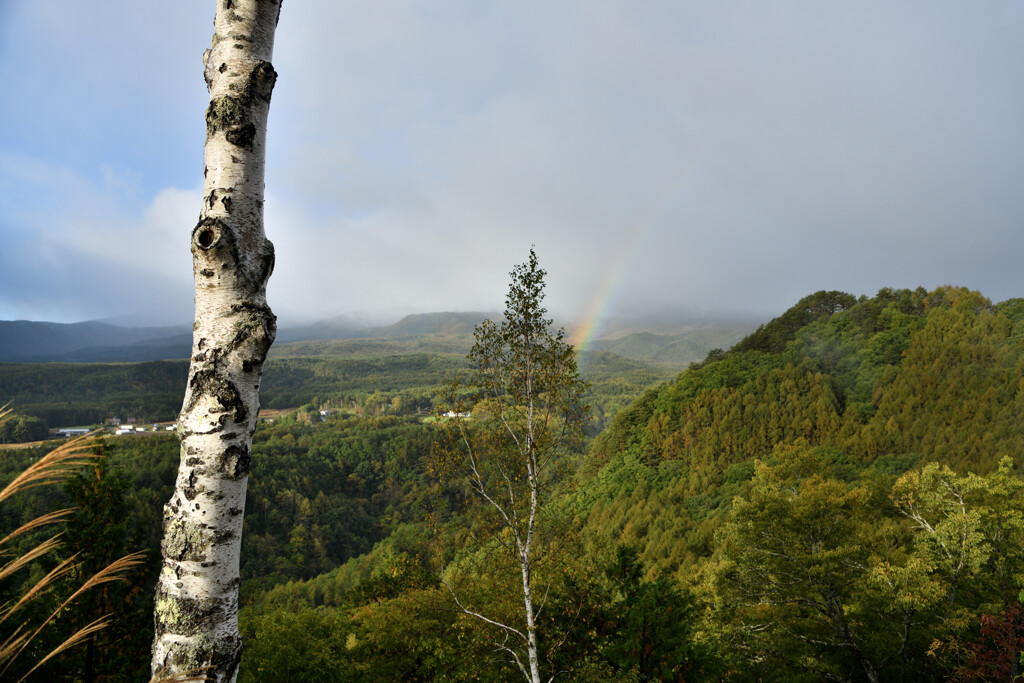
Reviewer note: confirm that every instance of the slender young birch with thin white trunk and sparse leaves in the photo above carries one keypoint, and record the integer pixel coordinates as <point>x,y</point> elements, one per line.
<point>529,412</point>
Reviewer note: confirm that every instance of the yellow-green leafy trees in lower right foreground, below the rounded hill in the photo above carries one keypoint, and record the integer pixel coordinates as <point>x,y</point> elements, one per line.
<point>816,578</point>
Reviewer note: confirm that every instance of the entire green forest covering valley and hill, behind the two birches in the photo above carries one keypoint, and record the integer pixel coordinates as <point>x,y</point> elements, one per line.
<point>838,497</point>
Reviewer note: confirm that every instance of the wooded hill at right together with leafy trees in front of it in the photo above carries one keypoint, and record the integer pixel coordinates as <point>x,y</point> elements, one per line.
<point>841,488</point>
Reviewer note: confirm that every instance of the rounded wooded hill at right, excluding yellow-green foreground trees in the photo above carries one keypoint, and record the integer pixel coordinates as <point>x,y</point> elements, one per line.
<point>880,385</point>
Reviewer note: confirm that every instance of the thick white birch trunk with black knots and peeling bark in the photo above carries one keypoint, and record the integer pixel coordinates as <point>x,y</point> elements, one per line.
<point>197,595</point>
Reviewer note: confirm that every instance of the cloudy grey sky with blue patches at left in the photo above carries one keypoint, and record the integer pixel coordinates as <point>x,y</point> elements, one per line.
<point>662,156</point>
